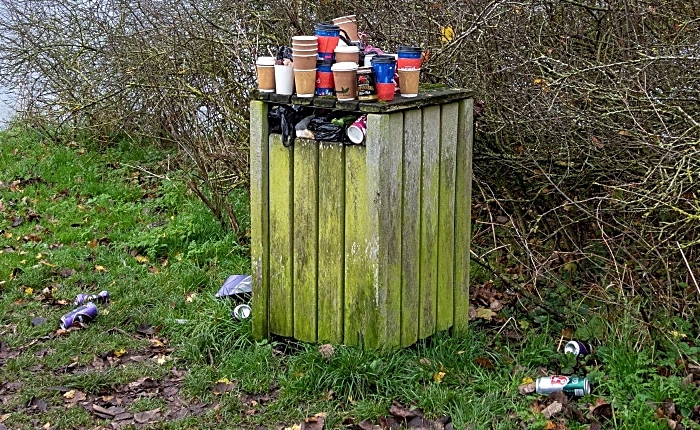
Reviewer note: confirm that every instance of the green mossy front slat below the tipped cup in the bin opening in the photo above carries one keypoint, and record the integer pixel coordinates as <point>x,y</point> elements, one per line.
<point>361,243</point>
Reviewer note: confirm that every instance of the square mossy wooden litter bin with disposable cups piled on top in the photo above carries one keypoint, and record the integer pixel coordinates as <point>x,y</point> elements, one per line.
<point>364,245</point>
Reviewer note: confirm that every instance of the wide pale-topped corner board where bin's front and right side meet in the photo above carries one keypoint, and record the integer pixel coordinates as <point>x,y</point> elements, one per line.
<point>384,156</point>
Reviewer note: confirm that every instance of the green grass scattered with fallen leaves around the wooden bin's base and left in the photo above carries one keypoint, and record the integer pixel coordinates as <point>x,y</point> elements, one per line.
<point>120,219</point>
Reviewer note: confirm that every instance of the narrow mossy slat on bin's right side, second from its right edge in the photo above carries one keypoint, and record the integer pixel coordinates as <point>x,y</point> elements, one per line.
<point>446,215</point>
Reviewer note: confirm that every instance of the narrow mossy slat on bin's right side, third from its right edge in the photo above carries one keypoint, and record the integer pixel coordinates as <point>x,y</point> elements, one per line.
<point>430,184</point>
